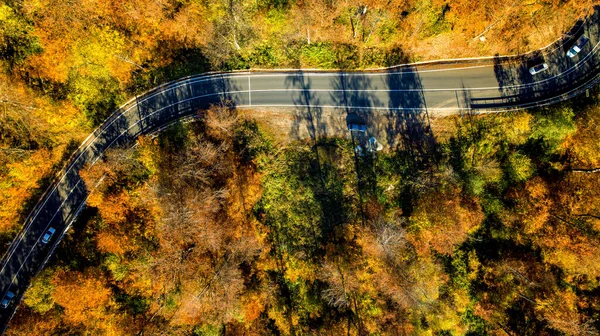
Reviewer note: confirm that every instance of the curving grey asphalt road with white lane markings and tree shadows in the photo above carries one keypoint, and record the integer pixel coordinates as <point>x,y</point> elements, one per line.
<point>492,84</point>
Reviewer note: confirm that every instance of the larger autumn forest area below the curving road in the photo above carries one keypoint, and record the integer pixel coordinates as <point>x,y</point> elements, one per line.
<point>214,228</point>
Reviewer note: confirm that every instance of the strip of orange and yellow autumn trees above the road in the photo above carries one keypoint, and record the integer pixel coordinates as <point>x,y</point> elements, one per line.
<point>66,65</point>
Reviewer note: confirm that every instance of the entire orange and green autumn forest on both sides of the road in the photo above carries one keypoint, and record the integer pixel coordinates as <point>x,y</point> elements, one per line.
<point>225,227</point>
